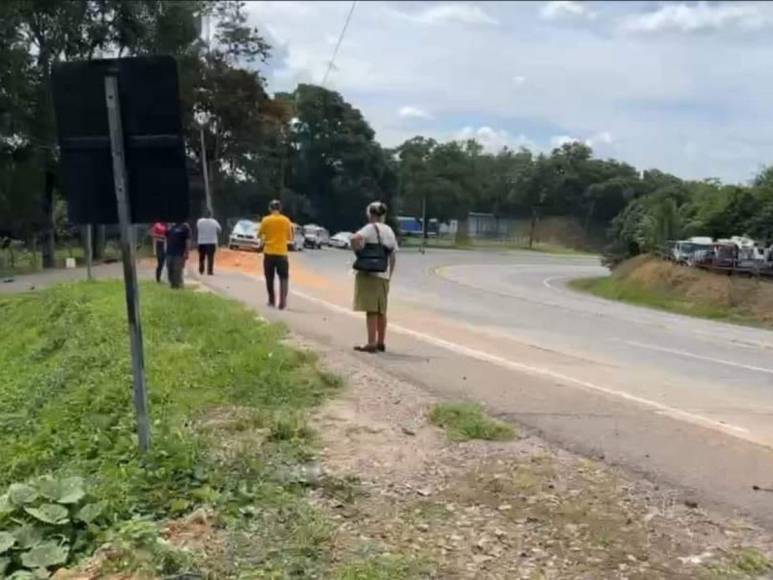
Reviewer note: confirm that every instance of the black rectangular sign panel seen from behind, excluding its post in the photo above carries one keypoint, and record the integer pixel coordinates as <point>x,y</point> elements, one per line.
<point>152,135</point>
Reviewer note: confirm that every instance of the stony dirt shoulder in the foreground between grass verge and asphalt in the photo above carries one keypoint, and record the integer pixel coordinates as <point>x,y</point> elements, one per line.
<point>409,502</point>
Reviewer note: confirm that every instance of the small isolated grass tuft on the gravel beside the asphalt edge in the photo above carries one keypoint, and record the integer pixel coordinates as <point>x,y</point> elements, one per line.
<point>466,421</point>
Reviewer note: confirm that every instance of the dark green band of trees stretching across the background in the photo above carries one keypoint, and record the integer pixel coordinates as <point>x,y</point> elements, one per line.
<point>314,149</point>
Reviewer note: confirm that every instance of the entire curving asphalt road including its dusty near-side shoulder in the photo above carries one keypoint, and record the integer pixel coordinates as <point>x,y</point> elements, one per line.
<point>684,400</point>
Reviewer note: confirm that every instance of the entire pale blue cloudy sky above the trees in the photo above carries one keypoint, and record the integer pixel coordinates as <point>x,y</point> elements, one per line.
<point>682,86</point>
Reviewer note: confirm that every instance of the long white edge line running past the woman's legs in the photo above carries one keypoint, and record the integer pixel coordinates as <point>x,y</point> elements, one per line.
<point>538,371</point>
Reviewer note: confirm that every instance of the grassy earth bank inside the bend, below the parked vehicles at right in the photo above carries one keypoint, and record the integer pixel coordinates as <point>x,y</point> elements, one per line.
<point>649,281</point>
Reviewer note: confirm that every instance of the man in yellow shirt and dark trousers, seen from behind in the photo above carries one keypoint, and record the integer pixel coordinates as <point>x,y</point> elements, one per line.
<point>276,231</point>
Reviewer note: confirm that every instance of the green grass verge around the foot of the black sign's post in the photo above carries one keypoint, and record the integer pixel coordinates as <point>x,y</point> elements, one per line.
<point>228,403</point>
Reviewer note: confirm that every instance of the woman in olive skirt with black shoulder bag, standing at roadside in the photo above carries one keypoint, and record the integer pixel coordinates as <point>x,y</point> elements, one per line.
<point>375,246</point>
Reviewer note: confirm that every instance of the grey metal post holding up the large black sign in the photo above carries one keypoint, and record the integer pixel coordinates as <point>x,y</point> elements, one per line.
<point>129,266</point>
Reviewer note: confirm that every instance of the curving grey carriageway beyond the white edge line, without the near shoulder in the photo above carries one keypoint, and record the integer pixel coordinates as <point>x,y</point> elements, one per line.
<point>714,374</point>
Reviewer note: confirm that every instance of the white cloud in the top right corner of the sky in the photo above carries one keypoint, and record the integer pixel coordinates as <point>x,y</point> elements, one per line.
<point>699,17</point>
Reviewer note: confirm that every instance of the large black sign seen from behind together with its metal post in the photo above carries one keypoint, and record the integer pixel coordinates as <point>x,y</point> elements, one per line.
<point>123,161</point>
